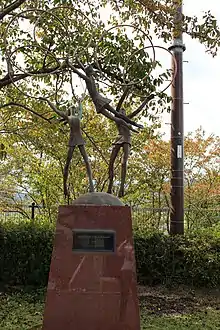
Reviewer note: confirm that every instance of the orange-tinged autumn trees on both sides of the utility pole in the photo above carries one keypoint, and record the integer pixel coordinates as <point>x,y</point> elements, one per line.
<point>152,167</point>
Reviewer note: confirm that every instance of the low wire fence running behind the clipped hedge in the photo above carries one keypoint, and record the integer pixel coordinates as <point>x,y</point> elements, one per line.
<point>145,218</point>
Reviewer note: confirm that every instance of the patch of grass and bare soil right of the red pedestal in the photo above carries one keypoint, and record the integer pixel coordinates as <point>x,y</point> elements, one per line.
<point>179,309</point>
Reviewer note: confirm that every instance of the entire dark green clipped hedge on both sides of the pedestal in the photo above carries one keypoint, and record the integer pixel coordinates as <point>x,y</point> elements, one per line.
<point>25,252</point>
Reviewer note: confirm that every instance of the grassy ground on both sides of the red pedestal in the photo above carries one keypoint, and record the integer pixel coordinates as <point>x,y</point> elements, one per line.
<point>173,309</point>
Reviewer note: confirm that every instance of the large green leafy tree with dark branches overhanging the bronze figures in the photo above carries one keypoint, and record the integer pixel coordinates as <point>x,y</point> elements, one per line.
<point>78,29</point>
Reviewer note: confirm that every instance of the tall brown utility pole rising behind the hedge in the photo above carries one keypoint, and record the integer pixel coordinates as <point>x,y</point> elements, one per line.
<point>177,130</point>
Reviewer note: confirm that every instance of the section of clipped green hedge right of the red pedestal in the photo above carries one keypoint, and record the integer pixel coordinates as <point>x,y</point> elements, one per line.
<point>192,259</point>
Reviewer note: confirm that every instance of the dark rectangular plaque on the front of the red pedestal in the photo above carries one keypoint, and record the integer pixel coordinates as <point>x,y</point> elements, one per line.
<point>85,240</point>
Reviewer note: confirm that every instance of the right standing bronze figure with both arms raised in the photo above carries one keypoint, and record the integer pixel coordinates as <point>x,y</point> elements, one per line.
<point>123,141</point>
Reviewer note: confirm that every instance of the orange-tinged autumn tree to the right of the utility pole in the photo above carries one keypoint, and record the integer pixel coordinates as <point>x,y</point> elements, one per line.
<point>201,179</point>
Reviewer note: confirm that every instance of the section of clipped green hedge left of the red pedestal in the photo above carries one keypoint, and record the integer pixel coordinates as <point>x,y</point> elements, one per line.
<point>25,253</point>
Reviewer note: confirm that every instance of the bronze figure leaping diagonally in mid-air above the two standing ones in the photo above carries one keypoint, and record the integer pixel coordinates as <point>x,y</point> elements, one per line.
<point>102,104</point>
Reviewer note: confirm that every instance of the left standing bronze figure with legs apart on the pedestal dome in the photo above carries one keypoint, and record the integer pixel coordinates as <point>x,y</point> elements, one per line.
<point>75,139</point>
